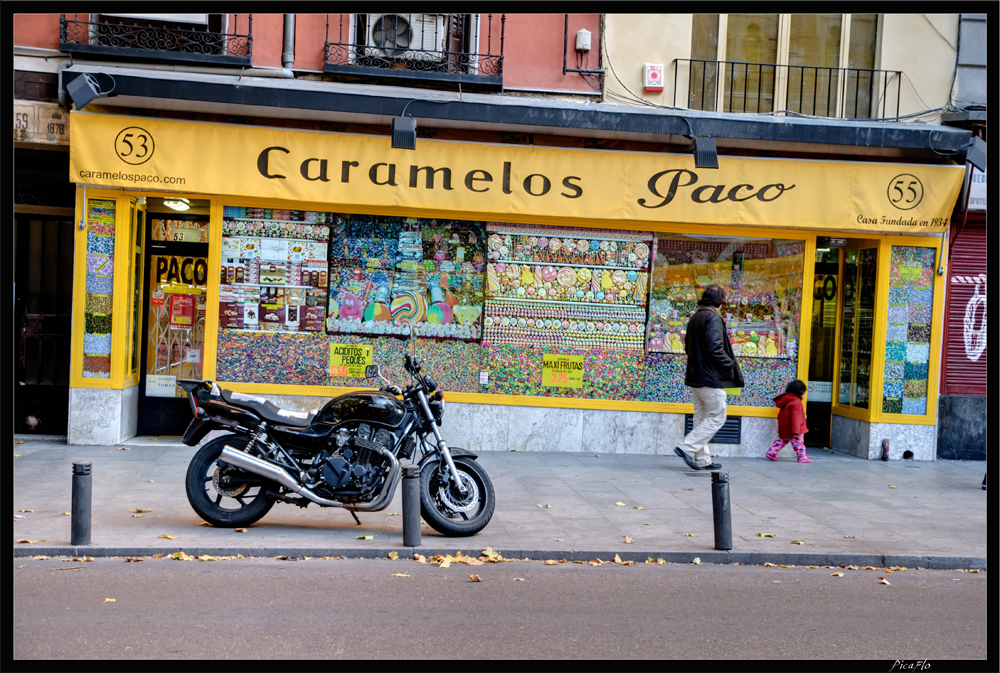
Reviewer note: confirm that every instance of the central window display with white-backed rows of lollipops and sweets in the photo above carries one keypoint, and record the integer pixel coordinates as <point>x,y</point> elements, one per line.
<point>578,288</point>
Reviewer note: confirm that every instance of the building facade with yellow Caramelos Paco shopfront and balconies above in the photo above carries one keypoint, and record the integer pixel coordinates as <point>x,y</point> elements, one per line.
<point>242,214</point>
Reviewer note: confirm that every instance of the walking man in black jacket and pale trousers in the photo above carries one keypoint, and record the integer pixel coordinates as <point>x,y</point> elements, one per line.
<point>711,367</point>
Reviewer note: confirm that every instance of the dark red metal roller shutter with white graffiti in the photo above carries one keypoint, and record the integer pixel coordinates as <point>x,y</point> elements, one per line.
<point>965,358</point>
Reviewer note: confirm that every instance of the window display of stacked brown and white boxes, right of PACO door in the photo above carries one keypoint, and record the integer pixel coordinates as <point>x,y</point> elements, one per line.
<point>274,269</point>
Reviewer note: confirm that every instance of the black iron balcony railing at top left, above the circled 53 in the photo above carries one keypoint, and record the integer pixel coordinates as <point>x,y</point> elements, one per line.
<point>148,39</point>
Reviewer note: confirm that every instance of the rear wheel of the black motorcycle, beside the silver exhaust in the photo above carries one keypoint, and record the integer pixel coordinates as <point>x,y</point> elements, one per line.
<point>247,506</point>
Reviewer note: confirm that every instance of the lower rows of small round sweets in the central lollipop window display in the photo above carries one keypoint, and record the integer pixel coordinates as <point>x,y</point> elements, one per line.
<point>565,326</point>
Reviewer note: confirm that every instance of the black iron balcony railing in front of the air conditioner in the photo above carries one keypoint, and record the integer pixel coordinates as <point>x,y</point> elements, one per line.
<point>457,48</point>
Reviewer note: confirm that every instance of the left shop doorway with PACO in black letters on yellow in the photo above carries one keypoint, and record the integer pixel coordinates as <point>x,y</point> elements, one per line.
<point>176,264</point>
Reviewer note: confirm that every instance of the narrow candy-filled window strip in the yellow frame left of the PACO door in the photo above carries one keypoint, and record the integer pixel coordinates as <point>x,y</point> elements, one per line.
<point>99,288</point>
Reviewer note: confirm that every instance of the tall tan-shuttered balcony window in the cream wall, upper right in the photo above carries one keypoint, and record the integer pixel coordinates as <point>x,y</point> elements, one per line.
<point>814,64</point>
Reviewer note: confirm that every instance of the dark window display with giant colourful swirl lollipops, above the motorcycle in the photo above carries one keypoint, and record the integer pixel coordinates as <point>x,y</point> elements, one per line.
<point>388,273</point>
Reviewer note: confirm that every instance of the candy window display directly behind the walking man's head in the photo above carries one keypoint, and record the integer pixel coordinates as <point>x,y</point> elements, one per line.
<point>762,279</point>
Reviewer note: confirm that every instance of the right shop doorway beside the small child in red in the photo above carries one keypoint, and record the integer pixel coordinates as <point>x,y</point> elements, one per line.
<point>843,315</point>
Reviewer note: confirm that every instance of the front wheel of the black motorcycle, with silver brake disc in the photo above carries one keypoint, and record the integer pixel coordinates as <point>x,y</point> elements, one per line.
<point>447,510</point>
